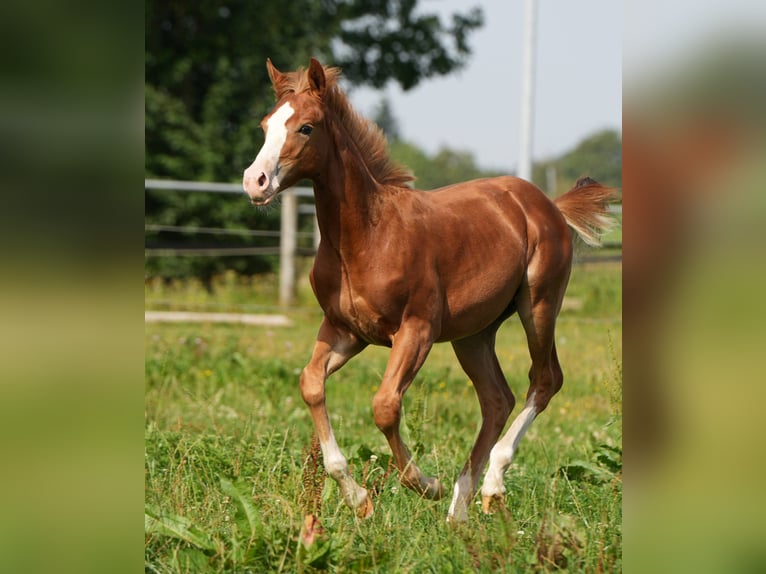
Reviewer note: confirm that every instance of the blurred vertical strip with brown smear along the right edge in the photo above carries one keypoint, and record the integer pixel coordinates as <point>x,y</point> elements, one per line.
<point>693,278</point>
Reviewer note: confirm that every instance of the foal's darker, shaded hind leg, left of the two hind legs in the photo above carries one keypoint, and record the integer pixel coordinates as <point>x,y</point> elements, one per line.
<point>477,357</point>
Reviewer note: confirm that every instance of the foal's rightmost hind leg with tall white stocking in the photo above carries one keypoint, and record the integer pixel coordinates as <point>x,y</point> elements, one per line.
<point>538,314</point>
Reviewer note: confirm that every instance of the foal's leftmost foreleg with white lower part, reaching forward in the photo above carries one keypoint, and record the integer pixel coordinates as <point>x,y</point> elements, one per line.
<point>332,350</point>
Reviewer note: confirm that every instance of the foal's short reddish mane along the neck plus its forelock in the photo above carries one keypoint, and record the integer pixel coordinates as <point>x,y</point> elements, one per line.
<point>369,139</point>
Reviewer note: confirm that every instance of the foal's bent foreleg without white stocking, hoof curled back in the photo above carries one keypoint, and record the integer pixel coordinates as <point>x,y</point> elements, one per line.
<point>409,350</point>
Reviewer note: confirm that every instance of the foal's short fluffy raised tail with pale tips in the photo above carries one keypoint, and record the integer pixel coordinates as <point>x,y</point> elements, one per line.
<point>586,209</point>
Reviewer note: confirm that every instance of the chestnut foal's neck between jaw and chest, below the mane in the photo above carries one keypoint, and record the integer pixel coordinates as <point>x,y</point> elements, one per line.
<point>347,197</point>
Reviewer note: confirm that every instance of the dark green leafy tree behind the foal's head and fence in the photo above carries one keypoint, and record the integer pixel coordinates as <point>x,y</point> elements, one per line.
<point>207,88</point>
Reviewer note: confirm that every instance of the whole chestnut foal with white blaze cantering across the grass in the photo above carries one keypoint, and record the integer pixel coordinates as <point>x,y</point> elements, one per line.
<point>406,269</point>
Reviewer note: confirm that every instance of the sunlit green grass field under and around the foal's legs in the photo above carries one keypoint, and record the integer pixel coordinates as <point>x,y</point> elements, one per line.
<point>230,472</point>
